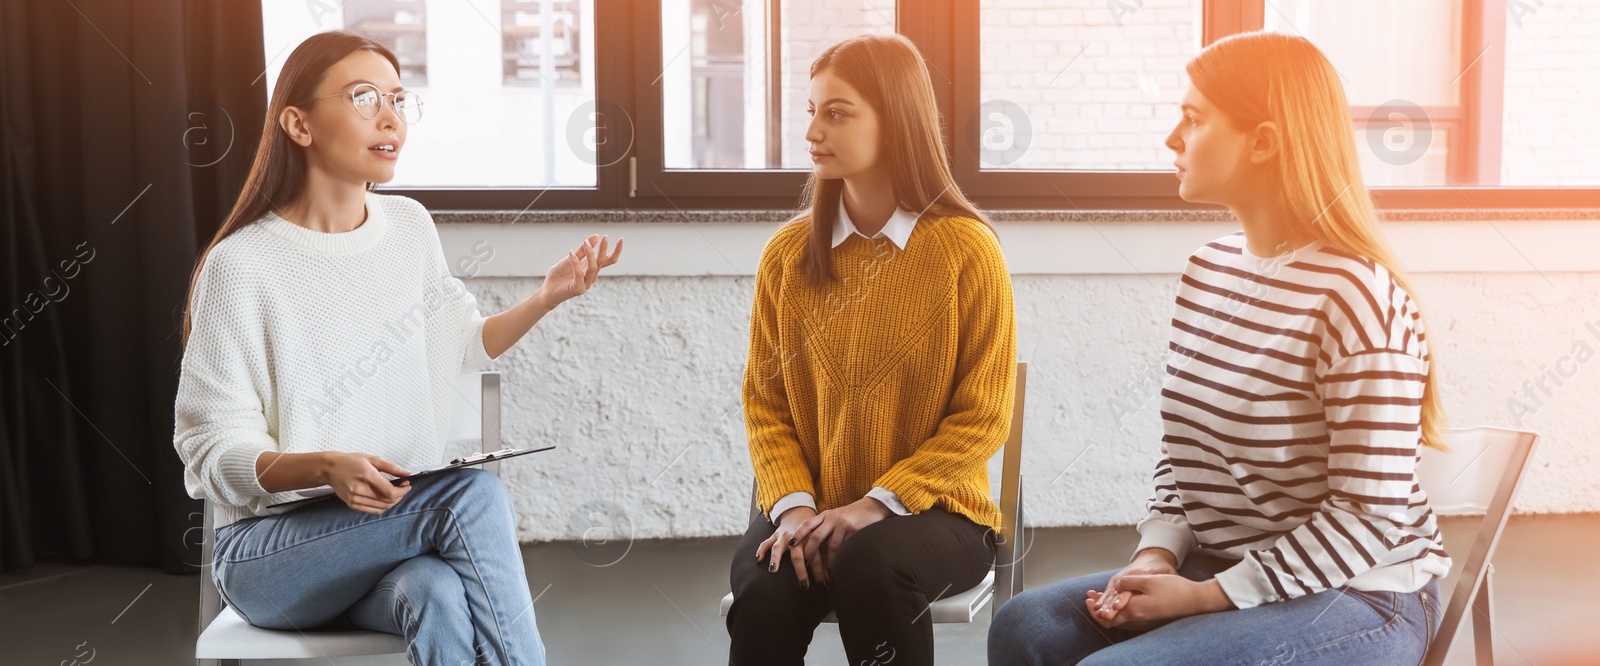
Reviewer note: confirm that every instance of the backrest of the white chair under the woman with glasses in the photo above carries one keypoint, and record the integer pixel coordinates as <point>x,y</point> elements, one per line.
<point>474,414</point>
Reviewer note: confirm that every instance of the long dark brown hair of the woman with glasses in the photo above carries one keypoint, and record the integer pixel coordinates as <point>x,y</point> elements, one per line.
<point>279,171</point>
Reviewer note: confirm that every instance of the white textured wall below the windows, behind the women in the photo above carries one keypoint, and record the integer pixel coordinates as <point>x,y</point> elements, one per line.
<point>639,380</point>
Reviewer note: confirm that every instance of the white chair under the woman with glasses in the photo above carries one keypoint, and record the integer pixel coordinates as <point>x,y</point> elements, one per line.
<point>226,638</point>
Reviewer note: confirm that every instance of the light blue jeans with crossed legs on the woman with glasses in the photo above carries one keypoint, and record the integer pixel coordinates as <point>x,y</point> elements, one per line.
<point>442,569</point>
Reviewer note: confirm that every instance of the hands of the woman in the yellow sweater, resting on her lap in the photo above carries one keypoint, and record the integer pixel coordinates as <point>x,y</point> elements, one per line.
<point>810,539</point>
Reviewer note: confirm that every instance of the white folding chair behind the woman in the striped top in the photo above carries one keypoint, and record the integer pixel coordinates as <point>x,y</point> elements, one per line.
<point>1478,476</point>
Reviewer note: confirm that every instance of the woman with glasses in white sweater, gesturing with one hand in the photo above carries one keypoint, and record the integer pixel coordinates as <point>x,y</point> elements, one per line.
<point>321,339</point>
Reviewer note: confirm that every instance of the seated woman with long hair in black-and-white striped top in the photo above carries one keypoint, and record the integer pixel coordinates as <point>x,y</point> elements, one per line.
<point>1287,524</point>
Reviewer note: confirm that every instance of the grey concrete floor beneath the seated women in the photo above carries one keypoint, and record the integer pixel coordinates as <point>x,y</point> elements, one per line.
<point>658,604</point>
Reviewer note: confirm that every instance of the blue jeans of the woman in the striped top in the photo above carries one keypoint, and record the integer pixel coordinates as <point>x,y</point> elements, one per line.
<point>1050,627</point>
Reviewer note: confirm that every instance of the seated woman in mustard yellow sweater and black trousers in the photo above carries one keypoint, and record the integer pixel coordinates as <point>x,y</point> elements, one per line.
<point>881,379</point>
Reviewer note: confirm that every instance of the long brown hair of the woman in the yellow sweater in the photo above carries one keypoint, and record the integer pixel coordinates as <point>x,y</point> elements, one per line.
<point>894,79</point>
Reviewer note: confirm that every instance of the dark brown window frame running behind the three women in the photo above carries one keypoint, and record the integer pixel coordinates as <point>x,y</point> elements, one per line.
<point>948,34</point>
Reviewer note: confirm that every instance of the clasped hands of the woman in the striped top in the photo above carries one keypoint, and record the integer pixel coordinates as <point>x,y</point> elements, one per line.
<point>1150,593</point>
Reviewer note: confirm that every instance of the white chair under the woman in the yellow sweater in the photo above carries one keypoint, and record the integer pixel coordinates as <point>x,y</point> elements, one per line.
<point>1006,577</point>
